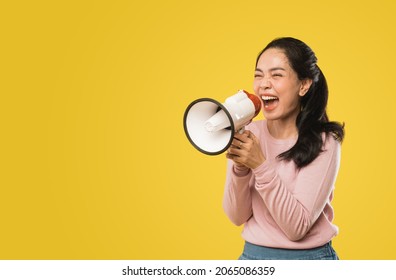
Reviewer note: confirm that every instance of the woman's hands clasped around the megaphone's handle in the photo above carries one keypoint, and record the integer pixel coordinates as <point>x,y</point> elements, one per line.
<point>246,150</point>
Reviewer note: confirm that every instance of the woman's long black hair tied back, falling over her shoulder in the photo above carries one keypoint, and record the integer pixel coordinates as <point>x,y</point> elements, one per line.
<point>312,121</point>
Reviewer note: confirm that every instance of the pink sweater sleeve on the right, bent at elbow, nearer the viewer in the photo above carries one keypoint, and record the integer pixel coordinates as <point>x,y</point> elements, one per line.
<point>296,208</point>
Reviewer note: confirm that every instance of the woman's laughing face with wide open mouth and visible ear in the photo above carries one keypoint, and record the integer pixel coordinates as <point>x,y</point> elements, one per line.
<point>278,86</point>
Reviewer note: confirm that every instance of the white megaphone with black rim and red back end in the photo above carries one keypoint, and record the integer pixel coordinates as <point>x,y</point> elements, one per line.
<point>210,126</point>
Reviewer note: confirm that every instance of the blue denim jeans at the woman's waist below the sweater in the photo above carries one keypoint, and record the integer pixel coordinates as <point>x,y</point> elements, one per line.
<point>255,252</point>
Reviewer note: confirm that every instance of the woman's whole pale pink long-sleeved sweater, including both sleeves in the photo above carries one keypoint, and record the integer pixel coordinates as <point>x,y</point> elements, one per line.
<point>279,205</point>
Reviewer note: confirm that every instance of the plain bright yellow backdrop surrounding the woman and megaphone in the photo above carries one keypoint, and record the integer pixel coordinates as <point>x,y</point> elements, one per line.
<point>94,160</point>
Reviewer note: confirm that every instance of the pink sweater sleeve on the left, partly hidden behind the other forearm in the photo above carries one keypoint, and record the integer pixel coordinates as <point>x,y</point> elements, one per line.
<point>237,200</point>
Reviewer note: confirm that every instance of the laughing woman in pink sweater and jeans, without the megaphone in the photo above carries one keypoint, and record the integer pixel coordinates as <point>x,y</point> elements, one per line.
<point>281,170</point>
